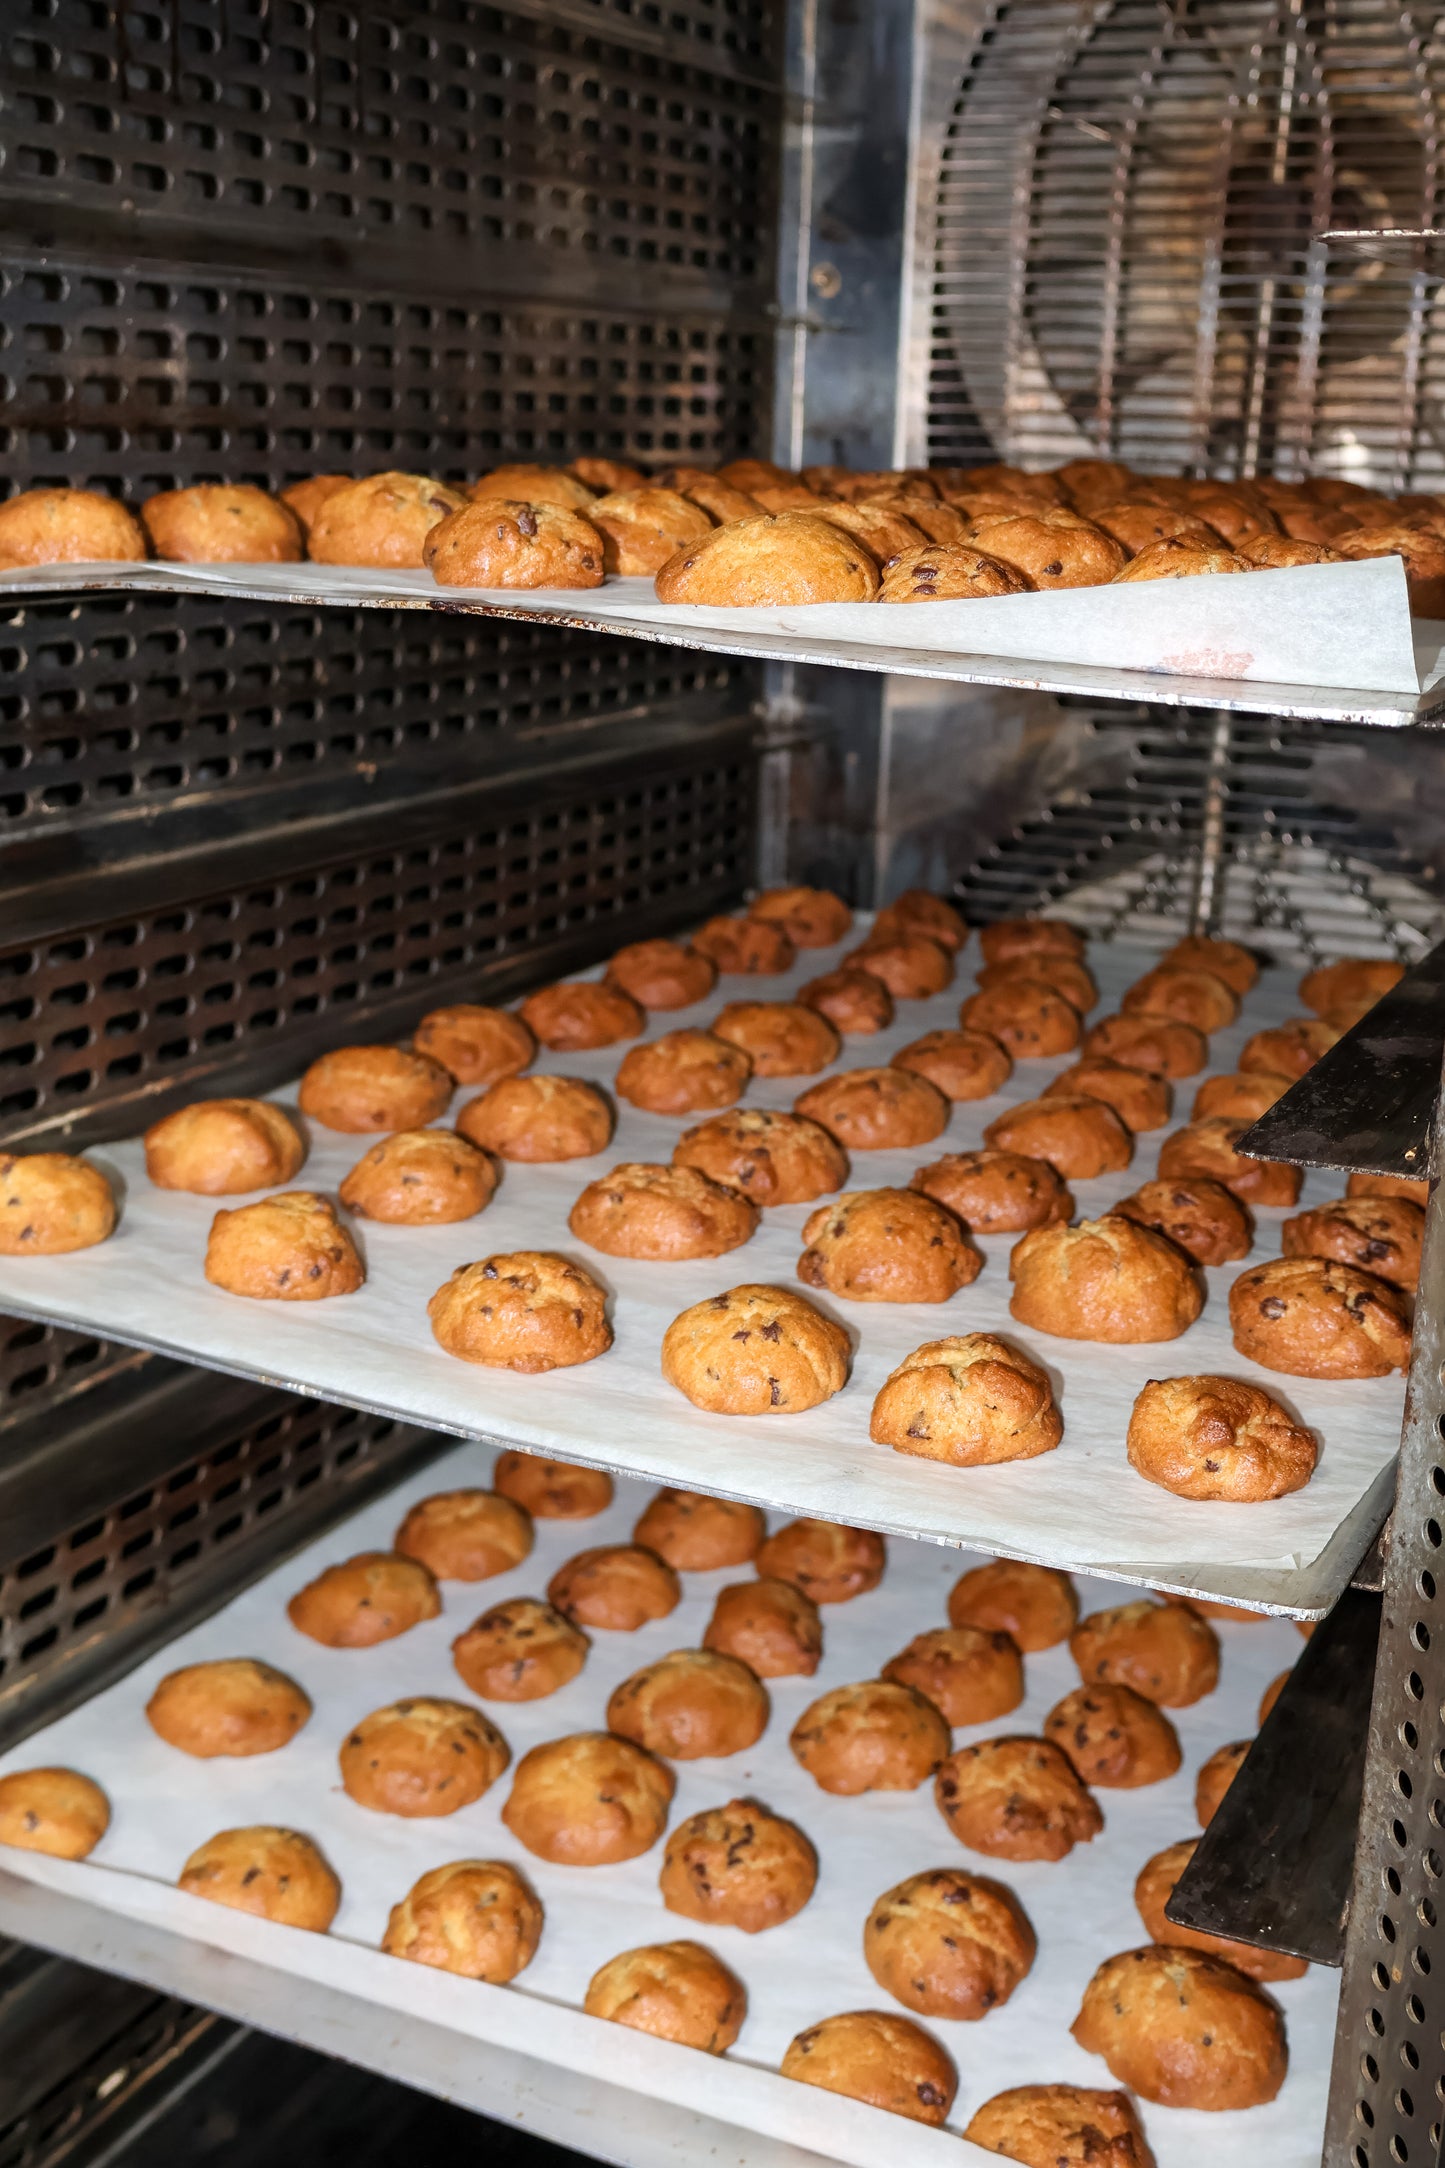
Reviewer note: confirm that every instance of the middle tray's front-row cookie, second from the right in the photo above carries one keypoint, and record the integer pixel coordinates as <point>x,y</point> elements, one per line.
<point>972,1402</point>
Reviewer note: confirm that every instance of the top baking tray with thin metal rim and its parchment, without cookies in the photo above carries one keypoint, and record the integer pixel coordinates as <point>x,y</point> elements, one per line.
<point>1208,643</point>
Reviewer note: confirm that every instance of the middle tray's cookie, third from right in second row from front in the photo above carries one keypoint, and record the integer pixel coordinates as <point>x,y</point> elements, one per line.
<point>887,1248</point>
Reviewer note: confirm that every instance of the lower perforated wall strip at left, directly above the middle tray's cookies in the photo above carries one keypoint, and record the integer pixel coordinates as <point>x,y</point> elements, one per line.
<point>112,1014</point>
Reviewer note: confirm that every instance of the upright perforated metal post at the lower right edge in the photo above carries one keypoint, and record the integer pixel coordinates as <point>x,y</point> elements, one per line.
<point>1388,2085</point>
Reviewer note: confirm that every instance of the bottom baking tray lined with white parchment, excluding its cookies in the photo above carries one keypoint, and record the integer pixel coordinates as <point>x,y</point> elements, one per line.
<point>339,1991</point>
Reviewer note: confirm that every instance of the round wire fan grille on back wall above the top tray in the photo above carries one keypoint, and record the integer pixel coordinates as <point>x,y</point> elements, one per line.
<point>1130,250</point>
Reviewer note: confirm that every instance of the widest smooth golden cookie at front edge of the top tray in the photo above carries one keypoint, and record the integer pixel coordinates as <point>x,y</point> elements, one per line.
<point>770,565</point>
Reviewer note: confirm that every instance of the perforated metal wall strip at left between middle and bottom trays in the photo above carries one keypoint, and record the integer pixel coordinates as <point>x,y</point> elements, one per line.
<point>179,1534</point>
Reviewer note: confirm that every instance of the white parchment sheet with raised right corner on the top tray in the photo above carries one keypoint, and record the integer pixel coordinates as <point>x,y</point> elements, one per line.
<point>1333,625</point>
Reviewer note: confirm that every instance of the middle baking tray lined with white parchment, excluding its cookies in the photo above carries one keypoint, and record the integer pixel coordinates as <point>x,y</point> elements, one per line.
<point>1080,1506</point>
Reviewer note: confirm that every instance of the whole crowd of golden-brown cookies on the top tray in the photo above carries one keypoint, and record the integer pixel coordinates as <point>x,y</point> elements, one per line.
<point>757,534</point>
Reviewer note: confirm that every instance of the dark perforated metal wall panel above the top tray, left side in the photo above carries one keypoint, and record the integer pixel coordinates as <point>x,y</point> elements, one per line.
<point>415,162</point>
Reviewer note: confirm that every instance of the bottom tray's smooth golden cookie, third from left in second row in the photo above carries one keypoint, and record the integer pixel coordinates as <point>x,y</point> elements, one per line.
<point>588,1801</point>
